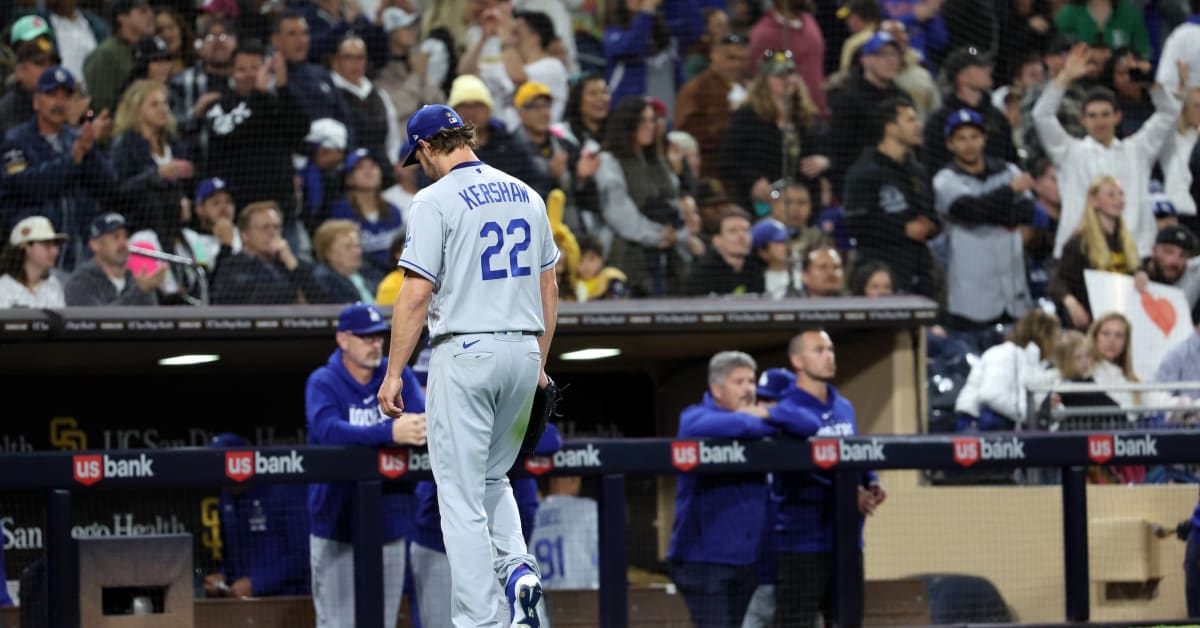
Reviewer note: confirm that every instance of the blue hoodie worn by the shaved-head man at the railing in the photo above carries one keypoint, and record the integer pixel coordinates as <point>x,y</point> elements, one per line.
<point>805,500</point>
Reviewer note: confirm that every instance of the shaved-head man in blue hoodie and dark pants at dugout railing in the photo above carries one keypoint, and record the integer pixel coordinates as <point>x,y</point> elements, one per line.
<point>803,501</point>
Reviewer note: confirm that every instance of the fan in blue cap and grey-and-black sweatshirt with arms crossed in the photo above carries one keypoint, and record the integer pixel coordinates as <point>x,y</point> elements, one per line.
<point>983,201</point>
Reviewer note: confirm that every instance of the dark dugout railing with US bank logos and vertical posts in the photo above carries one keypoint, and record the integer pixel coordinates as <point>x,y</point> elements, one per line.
<point>61,475</point>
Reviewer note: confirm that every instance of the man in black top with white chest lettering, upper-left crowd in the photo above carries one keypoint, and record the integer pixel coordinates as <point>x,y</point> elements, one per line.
<point>255,129</point>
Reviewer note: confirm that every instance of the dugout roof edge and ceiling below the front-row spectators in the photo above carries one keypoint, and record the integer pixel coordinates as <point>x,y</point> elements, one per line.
<point>651,334</point>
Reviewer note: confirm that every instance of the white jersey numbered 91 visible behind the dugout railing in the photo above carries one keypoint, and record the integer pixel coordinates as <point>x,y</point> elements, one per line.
<point>566,542</point>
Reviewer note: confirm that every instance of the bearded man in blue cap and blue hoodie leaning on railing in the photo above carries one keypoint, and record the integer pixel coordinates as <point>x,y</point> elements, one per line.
<point>340,402</point>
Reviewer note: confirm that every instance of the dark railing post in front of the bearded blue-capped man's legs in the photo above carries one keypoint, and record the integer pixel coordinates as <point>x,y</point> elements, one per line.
<point>369,554</point>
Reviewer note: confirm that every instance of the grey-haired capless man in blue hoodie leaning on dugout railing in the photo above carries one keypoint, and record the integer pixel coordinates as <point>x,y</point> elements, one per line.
<point>719,519</point>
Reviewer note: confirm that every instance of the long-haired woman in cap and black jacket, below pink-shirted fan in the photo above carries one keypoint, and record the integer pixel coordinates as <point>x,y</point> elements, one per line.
<point>776,128</point>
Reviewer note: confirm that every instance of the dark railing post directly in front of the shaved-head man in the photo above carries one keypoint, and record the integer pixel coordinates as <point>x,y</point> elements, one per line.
<point>848,554</point>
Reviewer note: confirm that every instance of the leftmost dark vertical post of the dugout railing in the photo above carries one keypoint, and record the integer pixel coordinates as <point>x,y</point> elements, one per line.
<point>62,597</point>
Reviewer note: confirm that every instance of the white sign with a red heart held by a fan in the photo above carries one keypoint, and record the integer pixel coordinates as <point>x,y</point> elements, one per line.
<point>1161,316</point>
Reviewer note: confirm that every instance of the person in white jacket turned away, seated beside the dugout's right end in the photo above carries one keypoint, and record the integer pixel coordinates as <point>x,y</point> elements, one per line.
<point>995,394</point>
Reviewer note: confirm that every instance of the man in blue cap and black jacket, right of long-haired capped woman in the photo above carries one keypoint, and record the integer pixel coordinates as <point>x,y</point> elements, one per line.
<point>854,106</point>
